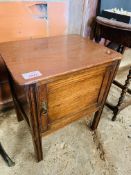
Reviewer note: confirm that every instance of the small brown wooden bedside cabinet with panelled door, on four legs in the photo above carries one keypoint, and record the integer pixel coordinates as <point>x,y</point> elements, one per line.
<point>76,77</point>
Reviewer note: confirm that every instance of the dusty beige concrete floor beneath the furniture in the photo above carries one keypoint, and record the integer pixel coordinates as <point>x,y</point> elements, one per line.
<point>73,150</point>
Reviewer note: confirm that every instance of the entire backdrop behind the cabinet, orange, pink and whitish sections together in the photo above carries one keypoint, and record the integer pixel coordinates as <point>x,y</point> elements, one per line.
<point>22,20</point>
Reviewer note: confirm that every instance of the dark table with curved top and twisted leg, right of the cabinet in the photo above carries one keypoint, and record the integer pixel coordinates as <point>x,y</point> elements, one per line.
<point>120,33</point>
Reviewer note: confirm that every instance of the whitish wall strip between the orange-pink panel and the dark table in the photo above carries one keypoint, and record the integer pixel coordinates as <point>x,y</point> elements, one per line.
<point>80,16</point>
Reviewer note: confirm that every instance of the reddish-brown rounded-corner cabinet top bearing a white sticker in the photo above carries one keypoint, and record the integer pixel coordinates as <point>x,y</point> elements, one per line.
<point>34,60</point>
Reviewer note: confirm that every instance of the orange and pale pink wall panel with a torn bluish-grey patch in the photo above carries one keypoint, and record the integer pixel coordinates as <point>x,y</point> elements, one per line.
<point>21,20</point>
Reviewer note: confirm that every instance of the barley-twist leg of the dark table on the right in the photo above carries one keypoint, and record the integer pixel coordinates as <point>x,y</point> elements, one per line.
<point>122,97</point>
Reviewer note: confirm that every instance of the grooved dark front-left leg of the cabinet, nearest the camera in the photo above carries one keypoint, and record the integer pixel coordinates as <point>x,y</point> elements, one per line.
<point>34,120</point>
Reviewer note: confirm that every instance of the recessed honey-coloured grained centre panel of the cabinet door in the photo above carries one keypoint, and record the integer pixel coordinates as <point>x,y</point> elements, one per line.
<point>74,94</point>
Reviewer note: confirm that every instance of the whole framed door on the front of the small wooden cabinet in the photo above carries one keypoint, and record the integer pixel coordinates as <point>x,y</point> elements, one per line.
<point>74,94</point>
